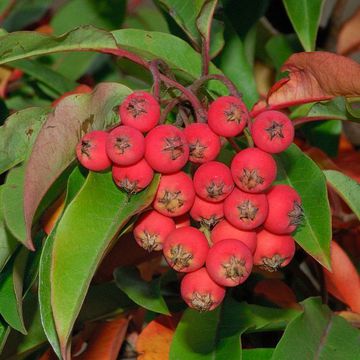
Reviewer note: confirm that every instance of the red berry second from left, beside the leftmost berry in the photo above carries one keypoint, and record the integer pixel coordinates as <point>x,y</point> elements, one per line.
<point>125,145</point>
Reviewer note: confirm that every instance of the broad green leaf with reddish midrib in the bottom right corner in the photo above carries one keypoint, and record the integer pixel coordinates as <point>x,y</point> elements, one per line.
<point>324,335</point>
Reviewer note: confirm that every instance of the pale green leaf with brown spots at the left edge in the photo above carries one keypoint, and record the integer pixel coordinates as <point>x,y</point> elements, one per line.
<point>18,134</point>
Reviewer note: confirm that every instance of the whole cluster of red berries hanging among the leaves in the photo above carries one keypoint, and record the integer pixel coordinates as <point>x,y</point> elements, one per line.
<point>244,219</point>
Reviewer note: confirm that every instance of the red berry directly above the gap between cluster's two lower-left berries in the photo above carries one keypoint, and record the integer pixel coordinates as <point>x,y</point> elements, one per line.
<point>175,194</point>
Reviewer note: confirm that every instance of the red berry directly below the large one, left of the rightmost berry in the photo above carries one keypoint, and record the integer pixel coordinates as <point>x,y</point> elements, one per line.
<point>245,211</point>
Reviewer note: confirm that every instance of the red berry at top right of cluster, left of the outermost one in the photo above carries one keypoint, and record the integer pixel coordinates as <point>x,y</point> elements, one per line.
<point>227,116</point>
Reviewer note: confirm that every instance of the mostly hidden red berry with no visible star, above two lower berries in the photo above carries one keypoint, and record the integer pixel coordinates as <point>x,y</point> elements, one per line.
<point>224,230</point>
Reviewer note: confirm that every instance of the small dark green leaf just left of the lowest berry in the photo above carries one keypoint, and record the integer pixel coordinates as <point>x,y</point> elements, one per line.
<point>144,293</point>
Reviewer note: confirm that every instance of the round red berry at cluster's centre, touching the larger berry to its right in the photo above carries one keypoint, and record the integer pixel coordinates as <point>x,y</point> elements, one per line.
<point>213,181</point>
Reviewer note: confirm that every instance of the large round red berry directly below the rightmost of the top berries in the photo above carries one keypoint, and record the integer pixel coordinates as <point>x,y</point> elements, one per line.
<point>253,170</point>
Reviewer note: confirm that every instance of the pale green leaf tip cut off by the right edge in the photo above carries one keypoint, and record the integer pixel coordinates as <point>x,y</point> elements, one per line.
<point>347,188</point>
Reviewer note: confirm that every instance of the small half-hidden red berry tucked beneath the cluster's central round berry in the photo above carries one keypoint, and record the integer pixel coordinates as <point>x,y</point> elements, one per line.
<point>207,213</point>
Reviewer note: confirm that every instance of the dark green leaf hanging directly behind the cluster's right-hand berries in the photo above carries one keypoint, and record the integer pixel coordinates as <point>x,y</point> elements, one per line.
<point>299,171</point>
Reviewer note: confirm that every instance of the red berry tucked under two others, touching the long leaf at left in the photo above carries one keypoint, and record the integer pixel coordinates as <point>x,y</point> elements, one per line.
<point>133,178</point>
